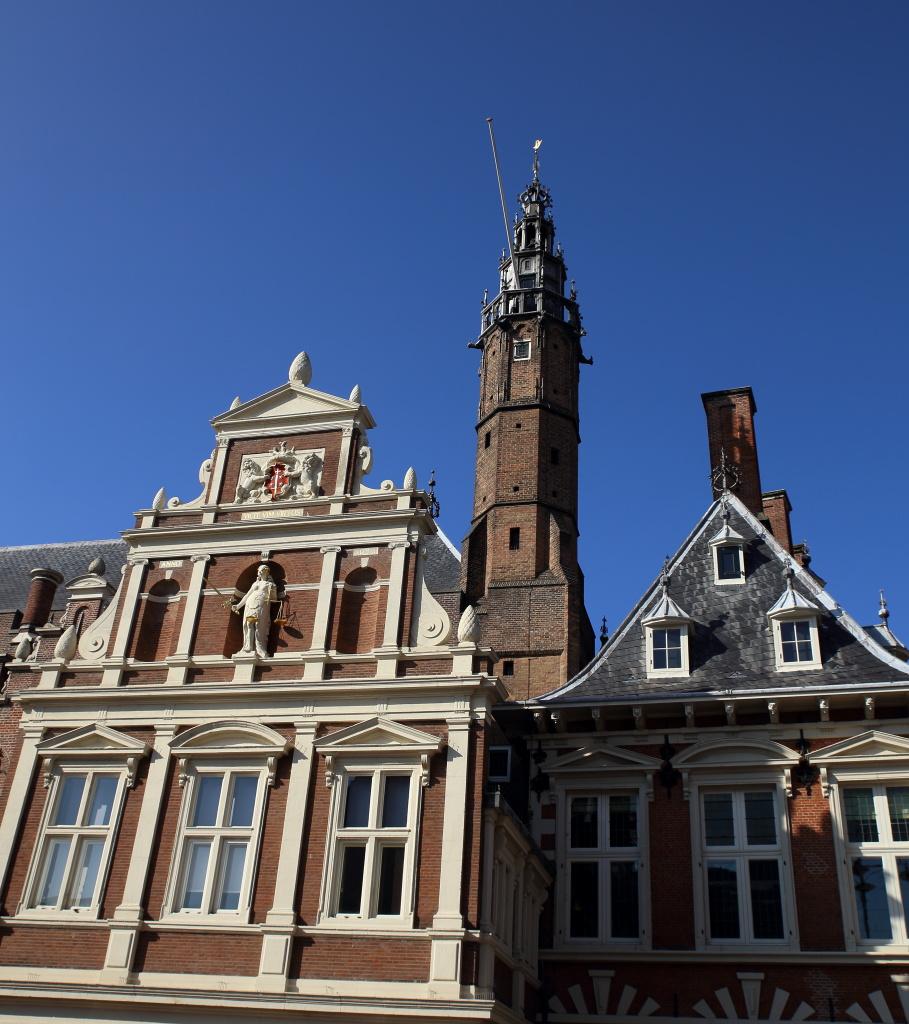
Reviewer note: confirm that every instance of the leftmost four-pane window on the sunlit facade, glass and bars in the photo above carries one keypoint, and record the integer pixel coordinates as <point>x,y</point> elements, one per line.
<point>76,841</point>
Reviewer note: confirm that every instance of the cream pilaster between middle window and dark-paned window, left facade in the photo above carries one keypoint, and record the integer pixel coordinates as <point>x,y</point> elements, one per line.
<point>282,919</point>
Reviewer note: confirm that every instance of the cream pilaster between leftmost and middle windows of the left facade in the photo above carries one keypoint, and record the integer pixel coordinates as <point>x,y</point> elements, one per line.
<point>128,916</point>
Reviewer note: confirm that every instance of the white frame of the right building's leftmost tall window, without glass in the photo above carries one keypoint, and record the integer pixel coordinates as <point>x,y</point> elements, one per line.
<point>604,856</point>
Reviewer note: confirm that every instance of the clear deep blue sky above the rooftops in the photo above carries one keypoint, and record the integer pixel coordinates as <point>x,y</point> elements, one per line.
<point>193,193</point>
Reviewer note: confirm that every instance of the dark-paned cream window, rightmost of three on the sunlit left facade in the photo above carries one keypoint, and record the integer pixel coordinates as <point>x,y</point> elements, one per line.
<point>374,845</point>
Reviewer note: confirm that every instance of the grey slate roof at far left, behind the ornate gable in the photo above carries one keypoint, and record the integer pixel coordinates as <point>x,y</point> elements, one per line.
<point>70,560</point>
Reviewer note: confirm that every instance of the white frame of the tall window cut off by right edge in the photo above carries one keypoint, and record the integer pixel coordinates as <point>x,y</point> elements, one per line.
<point>888,850</point>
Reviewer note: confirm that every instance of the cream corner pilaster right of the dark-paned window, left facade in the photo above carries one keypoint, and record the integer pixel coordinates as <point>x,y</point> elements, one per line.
<point>446,957</point>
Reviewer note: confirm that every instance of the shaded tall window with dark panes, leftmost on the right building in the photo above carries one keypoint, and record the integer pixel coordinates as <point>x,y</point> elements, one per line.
<point>604,867</point>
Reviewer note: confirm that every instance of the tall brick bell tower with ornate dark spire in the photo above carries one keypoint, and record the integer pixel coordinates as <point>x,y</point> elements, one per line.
<point>521,559</point>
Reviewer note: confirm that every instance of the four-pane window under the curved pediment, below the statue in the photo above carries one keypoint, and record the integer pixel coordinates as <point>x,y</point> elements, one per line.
<point>214,869</point>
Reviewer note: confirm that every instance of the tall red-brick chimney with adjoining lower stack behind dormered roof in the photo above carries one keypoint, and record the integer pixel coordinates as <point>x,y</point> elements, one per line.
<point>731,430</point>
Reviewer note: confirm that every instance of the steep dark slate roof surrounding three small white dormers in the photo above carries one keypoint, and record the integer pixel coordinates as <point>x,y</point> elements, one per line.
<point>731,646</point>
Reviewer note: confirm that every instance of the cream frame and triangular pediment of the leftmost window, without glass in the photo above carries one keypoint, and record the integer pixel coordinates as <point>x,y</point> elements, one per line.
<point>92,751</point>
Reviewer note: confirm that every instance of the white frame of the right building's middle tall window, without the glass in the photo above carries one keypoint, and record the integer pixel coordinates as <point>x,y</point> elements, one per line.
<point>783,850</point>
